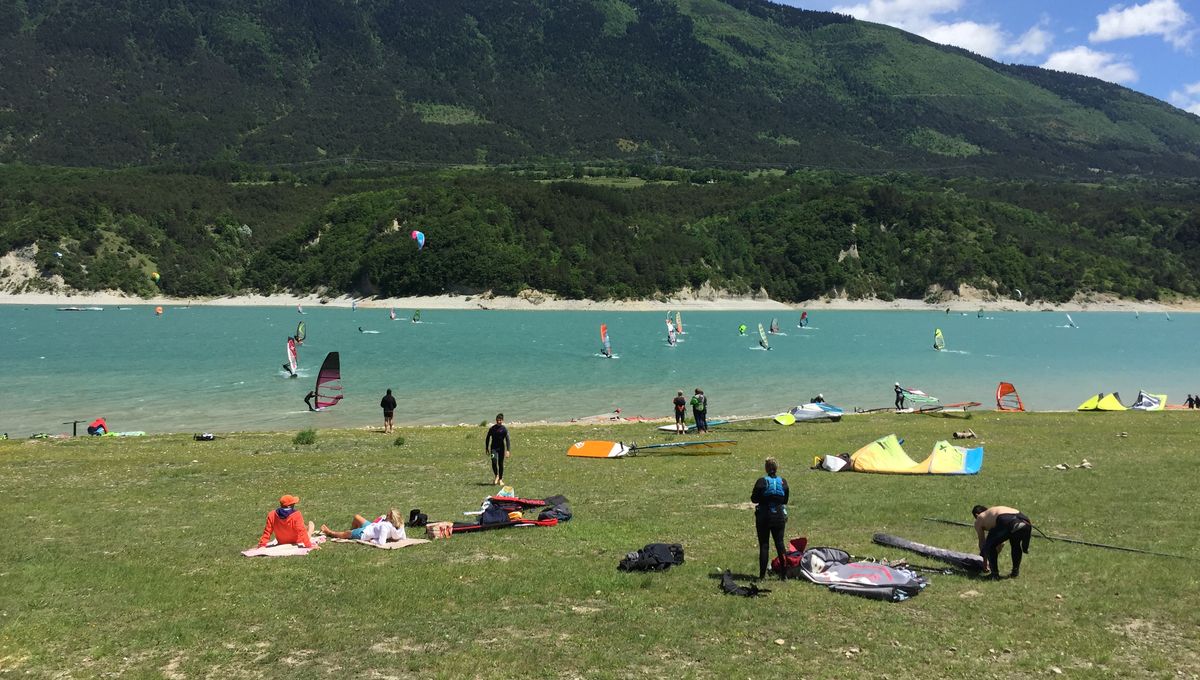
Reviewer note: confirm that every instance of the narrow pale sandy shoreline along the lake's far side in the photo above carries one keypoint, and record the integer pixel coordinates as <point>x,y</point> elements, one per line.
<point>537,303</point>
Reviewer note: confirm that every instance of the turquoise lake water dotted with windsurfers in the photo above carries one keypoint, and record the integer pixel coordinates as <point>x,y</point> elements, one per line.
<point>219,369</point>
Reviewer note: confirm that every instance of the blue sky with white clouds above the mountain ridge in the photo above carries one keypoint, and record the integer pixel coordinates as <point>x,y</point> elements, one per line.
<point>1150,46</point>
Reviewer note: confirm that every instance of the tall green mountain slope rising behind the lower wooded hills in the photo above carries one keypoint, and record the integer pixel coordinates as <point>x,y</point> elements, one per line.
<point>683,82</point>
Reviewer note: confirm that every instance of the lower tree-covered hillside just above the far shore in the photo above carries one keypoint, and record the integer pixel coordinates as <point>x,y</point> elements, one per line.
<point>796,237</point>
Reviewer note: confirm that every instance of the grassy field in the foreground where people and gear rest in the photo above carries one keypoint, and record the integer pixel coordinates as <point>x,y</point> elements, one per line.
<point>123,558</point>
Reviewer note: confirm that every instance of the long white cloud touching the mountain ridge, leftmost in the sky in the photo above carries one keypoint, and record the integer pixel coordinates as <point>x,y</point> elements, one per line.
<point>923,17</point>
